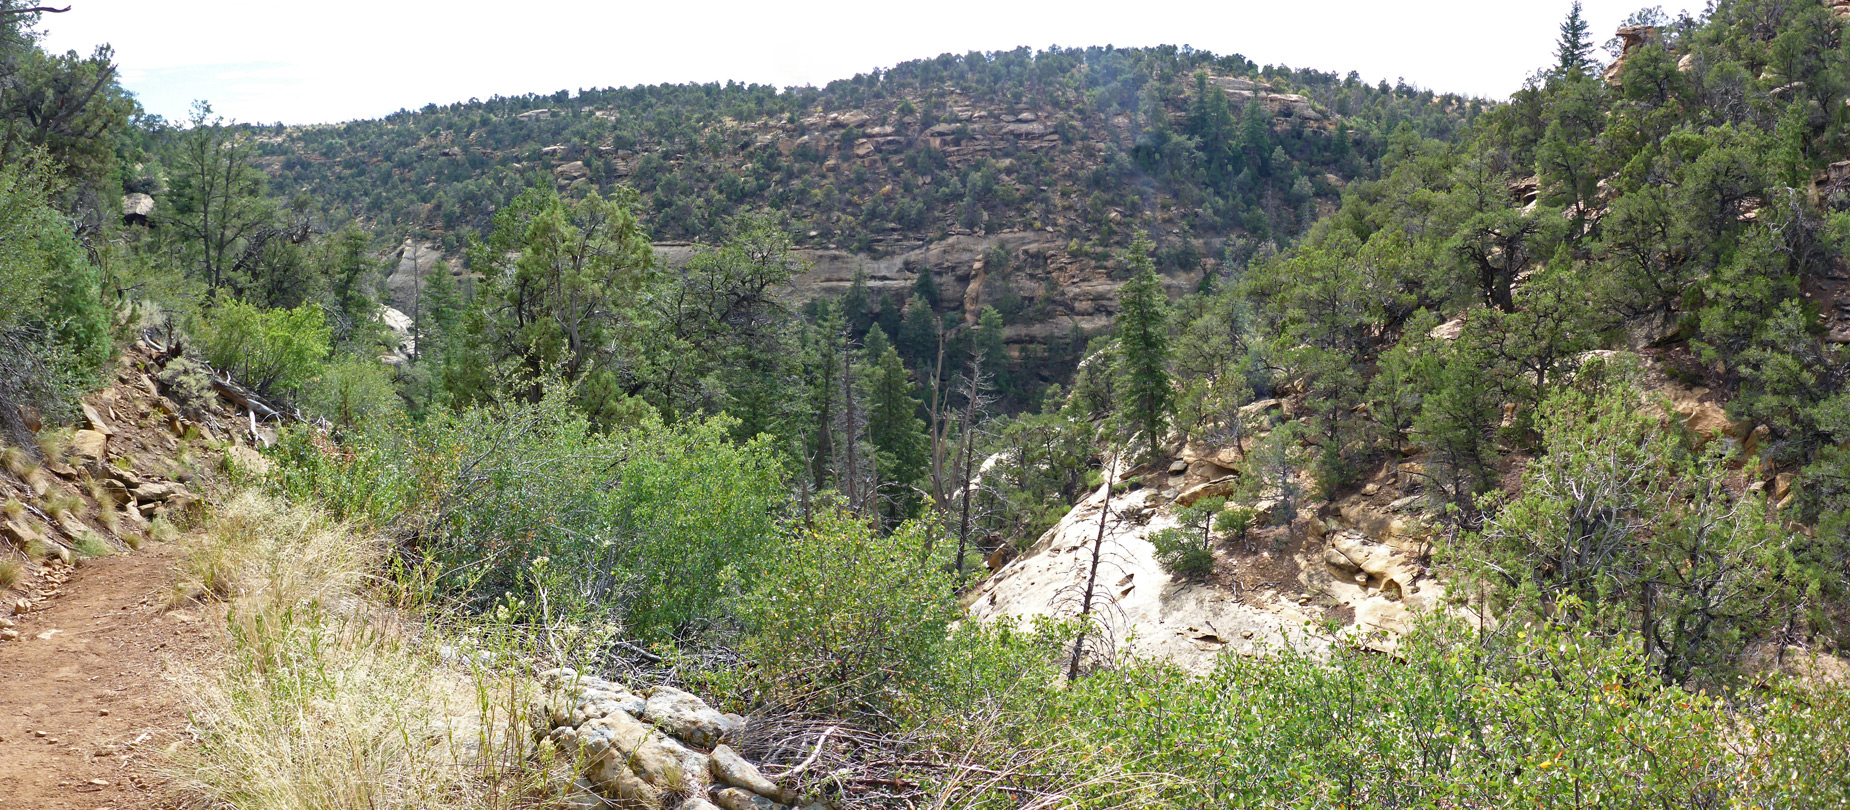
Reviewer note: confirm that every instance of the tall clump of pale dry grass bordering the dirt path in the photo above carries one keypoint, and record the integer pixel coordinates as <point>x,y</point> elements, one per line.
<point>325,700</point>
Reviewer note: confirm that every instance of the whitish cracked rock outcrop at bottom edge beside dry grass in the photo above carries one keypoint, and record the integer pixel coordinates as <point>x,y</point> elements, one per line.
<point>661,748</point>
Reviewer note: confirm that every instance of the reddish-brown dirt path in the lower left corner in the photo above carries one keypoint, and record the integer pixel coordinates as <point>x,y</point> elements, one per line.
<point>84,702</point>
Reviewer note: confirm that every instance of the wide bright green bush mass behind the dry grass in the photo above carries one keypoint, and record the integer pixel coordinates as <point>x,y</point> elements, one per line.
<point>635,532</point>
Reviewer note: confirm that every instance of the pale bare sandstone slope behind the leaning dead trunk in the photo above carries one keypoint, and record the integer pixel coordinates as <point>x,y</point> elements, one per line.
<point>1350,572</point>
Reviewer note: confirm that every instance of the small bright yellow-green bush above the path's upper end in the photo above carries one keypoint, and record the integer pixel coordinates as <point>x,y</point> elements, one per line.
<point>269,350</point>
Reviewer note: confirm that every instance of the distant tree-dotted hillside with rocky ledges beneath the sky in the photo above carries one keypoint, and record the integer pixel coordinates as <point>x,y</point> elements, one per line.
<point>1013,178</point>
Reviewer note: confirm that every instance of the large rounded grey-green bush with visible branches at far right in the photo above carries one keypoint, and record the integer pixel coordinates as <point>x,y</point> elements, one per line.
<point>1629,513</point>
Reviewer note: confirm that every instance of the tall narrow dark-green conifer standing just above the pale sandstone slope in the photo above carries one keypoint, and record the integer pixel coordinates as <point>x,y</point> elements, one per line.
<point>1144,337</point>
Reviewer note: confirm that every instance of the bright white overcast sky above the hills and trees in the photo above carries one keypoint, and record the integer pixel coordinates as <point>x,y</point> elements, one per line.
<point>301,64</point>
